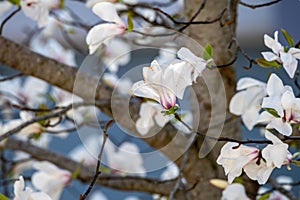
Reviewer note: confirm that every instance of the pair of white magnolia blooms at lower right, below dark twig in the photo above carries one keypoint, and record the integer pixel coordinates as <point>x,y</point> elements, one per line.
<point>258,167</point>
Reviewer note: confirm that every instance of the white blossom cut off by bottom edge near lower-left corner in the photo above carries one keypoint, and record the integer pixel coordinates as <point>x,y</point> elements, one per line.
<point>25,193</point>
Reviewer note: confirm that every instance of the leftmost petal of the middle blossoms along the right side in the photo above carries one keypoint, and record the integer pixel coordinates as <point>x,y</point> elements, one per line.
<point>236,105</point>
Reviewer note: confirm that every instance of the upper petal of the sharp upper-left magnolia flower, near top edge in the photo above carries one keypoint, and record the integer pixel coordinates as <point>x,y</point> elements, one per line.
<point>108,12</point>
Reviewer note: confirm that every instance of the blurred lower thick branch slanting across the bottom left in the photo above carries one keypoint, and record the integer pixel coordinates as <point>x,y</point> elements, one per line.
<point>86,173</point>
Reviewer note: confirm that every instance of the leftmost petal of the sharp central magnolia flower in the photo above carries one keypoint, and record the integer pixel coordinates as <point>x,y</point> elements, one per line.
<point>146,90</point>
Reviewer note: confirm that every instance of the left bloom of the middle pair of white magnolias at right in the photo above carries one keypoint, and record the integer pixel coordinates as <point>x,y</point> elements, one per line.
<point>247,102</point>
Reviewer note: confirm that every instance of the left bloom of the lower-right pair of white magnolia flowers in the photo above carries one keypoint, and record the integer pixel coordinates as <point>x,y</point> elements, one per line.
<point>235,159</point>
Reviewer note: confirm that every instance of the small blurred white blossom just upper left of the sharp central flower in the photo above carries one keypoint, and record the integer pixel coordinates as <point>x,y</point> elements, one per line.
<point>123,85</point>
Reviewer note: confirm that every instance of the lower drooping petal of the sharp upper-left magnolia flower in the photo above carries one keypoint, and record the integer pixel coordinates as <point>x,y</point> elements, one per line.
<point>102,33</point>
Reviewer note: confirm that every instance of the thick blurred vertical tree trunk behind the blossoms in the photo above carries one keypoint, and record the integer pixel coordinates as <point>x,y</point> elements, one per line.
<point>200,171</point>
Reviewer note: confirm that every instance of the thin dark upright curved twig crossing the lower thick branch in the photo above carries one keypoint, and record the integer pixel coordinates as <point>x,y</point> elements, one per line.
<point>98,171</point>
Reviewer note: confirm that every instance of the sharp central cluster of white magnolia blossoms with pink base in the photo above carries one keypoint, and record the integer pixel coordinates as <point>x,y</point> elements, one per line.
<point>164,84</point>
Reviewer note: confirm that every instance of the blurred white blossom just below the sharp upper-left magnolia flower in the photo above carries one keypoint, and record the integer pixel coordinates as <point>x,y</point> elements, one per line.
<point>115,54</point>
